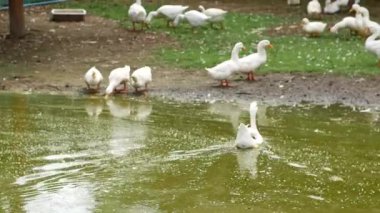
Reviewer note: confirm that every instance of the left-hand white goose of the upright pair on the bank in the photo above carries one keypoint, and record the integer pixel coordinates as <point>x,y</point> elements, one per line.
<point>224,70</point>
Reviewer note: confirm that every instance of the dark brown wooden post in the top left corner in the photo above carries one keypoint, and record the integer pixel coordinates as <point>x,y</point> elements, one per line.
<point>16,18</point>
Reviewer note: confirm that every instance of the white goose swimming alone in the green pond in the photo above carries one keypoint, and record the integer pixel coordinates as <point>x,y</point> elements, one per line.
<point>249,137</point>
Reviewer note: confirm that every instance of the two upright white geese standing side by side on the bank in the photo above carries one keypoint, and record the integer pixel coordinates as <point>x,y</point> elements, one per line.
<point>248,64</point>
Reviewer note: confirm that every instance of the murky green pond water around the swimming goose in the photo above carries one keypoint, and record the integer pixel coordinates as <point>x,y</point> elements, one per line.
<point>80,154</point>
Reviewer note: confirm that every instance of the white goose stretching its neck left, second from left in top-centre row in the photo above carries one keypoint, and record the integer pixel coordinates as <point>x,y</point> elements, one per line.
<point>170,12</point>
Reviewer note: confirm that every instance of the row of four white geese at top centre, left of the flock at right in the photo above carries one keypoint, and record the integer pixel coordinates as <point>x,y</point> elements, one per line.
<point>174,14</point>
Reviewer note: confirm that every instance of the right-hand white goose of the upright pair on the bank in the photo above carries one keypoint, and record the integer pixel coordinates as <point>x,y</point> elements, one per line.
<point>254,61</point>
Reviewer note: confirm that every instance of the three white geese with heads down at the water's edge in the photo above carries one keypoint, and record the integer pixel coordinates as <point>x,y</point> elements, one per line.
<point>119,76</point>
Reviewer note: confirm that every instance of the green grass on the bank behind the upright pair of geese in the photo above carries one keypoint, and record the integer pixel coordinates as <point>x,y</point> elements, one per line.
<point>206,47</point>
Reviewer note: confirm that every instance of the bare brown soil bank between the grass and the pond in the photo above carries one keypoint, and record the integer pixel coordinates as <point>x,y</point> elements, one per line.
<point>53,58</point>
